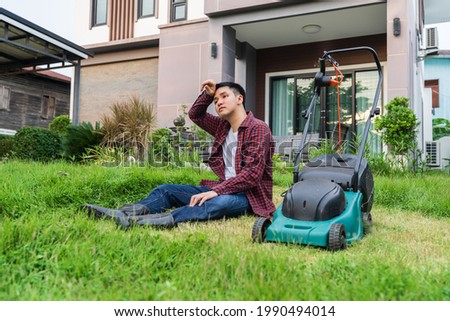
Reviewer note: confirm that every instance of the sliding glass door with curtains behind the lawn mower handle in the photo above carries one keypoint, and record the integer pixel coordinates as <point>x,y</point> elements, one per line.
<point>291,96</point>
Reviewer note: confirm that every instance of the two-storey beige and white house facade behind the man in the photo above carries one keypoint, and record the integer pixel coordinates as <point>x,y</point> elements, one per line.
<point>161,51</point>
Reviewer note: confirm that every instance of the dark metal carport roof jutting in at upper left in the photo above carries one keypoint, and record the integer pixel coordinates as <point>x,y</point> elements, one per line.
<point>25,47</point>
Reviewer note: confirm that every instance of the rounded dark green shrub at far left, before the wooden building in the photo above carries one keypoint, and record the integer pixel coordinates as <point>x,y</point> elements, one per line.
<point>38,144</point>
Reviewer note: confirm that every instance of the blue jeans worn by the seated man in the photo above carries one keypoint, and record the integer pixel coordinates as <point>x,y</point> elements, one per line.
<point>167,196</point>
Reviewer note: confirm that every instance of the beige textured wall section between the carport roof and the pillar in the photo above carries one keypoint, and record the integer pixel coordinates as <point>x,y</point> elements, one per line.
<point>103,85</point>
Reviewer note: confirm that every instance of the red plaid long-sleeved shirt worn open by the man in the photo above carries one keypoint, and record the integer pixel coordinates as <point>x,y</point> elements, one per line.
<point>253,157</point>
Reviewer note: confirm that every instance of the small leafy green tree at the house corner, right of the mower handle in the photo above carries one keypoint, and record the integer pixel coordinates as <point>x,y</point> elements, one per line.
<point>398,128</point>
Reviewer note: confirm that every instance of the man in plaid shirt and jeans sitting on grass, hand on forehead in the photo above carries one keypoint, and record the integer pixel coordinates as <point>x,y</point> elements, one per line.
<point>241,157</point>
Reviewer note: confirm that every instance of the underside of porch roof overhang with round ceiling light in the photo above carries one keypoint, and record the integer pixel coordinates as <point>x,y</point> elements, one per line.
<point>336,23</point>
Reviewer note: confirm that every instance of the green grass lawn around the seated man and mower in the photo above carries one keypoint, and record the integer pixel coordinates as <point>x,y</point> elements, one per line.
<point>49,251</point>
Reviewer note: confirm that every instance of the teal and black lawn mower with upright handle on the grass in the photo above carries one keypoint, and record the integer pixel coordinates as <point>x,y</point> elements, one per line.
<point>330,200</point>
